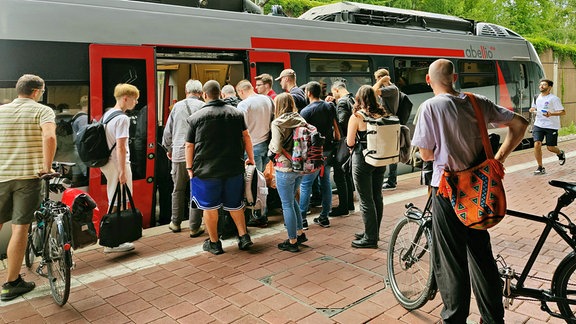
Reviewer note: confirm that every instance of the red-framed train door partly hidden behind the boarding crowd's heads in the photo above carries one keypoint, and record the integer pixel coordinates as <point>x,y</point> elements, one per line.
<point>268,62</point>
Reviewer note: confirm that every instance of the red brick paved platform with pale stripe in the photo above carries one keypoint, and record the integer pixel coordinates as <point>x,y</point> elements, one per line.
<point>169,279</point>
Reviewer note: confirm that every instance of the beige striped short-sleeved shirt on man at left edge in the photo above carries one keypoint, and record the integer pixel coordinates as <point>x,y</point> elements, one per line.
<point>21,138</point>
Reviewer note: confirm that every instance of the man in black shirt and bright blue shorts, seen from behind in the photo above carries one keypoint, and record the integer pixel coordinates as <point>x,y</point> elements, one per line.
<point>215,148</point>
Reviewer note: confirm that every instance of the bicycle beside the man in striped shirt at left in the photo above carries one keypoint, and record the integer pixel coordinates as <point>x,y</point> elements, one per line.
<point>49,238</point>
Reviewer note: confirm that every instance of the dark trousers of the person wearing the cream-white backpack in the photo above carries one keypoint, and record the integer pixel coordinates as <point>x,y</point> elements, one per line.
<point>369,180</point>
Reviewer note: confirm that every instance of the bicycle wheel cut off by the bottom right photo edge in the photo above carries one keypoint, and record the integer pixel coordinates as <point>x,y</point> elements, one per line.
<point>564,286</point>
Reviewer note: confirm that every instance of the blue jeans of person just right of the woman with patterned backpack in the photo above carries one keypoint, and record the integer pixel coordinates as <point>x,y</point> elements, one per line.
<point>325,188</point>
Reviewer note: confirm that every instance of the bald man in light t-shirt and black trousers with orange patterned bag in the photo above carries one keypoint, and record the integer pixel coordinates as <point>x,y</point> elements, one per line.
<point>445,134</point>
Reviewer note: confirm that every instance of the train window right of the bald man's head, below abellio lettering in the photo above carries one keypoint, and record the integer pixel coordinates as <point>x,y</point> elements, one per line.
<point>478,77</point>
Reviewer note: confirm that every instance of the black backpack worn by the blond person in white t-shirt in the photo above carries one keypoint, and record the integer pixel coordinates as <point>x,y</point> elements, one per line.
<point>91,142</point>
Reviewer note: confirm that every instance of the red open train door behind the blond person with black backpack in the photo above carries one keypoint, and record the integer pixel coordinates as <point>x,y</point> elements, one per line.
<point>136,65</point>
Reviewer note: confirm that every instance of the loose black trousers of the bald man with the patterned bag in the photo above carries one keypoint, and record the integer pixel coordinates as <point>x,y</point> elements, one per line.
<point>463,260</point>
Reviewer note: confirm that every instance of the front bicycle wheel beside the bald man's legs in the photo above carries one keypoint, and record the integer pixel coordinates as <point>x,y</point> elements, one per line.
<point>409,266</point>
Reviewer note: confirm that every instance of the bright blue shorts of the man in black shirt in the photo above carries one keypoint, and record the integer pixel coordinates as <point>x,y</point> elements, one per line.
<point>209,194</point>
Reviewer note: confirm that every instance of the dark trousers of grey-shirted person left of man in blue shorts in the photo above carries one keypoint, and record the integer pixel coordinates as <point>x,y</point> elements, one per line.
<point>180,201</point>
